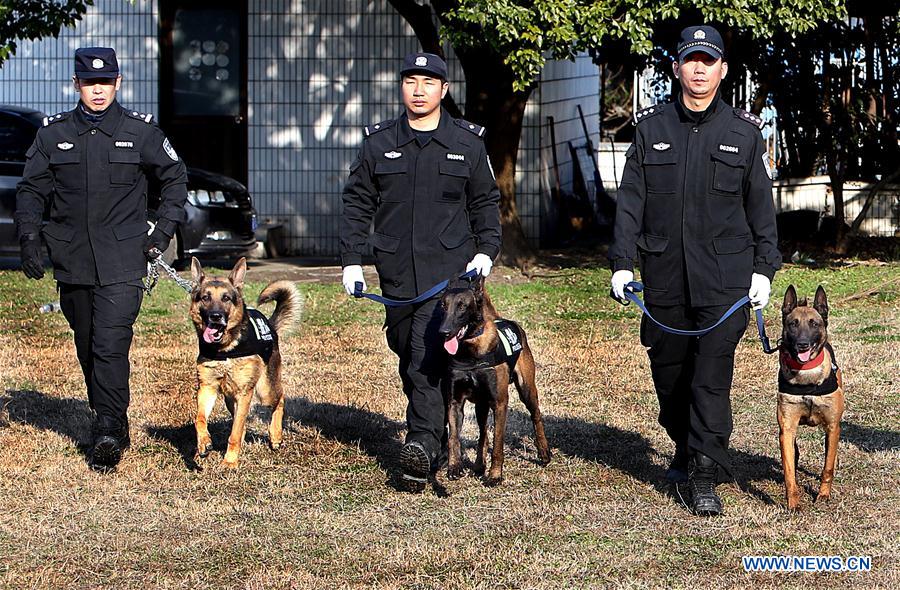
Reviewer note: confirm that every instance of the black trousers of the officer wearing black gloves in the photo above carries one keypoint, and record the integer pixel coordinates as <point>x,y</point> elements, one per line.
<point>102,319</point>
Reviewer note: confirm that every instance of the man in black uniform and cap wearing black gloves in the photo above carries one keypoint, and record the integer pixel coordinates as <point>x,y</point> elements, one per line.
<point>91,166</point>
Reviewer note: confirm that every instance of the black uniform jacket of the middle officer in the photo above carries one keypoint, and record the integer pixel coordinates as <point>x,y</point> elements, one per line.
<point>434,206</point>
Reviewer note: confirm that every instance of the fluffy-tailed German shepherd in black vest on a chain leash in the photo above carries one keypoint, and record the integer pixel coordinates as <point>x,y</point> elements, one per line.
<point>239,353</point>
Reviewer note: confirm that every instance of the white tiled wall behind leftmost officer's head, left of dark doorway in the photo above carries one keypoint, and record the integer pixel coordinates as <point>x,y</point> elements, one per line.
<point>40,74</point>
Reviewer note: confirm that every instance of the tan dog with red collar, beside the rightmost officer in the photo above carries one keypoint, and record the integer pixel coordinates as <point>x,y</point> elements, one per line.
<point>810,388</point>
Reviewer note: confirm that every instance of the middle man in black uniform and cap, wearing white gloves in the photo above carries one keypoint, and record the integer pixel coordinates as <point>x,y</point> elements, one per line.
<point>425,180</point>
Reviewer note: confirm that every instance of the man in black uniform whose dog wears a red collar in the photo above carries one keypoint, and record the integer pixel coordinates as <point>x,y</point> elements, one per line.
<point>695,206</point>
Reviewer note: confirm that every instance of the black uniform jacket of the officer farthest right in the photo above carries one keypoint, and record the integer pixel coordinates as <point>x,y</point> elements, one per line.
<point>695,204</point>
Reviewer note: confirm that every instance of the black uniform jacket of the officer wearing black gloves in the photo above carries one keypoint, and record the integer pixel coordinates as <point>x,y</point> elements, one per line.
<point>95,178</point>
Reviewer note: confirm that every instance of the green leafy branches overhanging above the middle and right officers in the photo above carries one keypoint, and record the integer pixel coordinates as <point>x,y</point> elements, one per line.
<point>526,33</point>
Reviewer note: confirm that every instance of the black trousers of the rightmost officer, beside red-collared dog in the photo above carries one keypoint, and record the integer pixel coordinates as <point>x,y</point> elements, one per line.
<point>693,375</point>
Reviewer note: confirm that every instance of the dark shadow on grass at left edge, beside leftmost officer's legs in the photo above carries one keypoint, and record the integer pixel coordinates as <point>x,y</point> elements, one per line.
<point>67,417</point>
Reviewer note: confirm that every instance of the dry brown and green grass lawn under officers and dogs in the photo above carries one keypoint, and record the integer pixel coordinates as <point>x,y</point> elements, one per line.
<point>325,512</point>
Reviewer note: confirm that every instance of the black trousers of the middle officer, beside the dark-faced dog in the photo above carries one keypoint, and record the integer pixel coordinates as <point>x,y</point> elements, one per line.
<point>412,334</point>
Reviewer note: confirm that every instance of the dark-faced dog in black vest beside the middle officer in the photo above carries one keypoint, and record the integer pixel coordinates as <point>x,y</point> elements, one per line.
<point>477,374</point>
